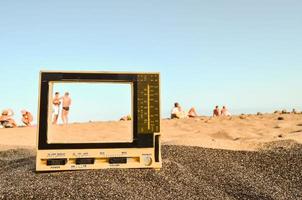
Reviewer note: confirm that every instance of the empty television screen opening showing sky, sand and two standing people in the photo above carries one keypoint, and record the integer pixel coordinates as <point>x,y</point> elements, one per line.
<point>90,112</point>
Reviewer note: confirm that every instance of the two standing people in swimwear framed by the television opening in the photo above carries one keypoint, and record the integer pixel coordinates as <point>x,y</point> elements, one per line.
<point>66,103</point>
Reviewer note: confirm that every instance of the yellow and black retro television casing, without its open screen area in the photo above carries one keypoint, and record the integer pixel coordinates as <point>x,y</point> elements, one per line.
<point>143,152</point>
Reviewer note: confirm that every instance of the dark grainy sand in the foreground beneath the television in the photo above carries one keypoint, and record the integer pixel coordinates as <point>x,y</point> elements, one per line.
<point>187,173</point>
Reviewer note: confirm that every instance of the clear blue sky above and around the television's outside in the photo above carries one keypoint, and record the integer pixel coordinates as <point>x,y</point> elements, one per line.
<point>244,54</point>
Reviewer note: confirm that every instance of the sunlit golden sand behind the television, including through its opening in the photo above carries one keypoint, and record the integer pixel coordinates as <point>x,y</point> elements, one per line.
<point>236,133</point>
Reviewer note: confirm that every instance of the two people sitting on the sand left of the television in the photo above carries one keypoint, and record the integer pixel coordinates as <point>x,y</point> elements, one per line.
<point>7,120</point>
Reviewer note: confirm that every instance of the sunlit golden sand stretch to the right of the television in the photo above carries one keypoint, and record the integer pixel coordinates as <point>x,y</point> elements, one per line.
<point>247,132</point>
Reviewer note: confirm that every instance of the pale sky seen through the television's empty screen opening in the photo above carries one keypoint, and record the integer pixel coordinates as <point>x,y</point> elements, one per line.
<point>97,101</point>
